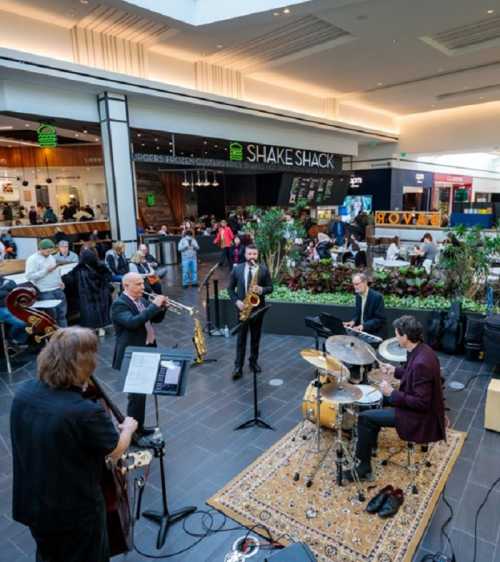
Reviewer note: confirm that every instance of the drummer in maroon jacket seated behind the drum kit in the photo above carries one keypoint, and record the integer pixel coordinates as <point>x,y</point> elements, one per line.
<point>416,410</point>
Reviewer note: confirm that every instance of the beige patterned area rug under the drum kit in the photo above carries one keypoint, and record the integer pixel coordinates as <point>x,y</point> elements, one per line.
<point>329,518</point>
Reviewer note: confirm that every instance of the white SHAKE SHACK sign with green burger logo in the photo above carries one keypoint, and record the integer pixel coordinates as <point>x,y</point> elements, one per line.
<point>283,157</point>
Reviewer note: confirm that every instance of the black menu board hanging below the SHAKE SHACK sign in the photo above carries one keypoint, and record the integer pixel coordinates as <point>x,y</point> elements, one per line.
<point>318,190</point>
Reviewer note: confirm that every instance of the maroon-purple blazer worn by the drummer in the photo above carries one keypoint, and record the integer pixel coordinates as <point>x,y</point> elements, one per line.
<point>419,402</point>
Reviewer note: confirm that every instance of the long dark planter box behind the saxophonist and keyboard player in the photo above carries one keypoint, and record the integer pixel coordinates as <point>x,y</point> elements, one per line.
<point>288,318</point>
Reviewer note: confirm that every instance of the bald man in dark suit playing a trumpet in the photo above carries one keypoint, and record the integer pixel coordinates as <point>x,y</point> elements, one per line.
<point>132,316</point>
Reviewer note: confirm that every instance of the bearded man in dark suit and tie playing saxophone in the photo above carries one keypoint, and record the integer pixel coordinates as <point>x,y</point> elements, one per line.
<point>249,279</point>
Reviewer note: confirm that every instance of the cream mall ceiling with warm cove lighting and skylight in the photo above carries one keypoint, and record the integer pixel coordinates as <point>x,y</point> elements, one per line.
<point>395,69</point>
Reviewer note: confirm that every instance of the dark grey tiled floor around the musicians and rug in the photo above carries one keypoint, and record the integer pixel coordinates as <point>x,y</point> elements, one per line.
<point>204,452</point>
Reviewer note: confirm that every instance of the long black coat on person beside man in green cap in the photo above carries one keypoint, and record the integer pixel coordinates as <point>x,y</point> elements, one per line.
<point>89,291</point>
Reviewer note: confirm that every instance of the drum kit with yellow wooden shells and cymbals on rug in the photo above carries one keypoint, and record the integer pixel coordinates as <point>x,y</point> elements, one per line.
<point>333,403</point>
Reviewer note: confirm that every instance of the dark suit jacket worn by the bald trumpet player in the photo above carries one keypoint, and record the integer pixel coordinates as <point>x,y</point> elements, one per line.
<point>130,324</point>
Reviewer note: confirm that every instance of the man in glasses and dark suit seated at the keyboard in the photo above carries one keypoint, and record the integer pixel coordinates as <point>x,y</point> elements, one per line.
<point>369,315</point>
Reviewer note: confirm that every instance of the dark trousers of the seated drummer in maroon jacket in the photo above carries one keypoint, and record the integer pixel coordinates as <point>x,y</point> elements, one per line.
<point>370,422</point>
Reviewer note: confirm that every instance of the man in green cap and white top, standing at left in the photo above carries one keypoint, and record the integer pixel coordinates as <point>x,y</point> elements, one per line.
<point>42,271</point>
